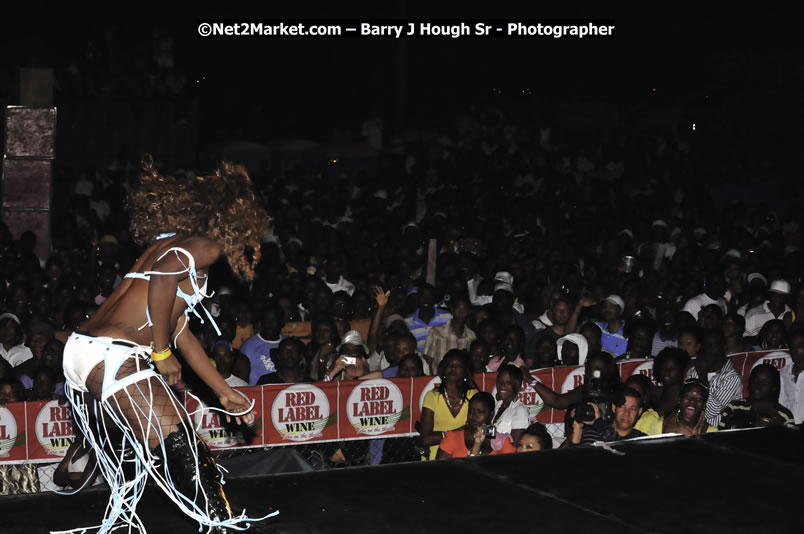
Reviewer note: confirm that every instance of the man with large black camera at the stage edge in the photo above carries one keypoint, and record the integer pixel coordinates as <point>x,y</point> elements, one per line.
<point>588,426</point>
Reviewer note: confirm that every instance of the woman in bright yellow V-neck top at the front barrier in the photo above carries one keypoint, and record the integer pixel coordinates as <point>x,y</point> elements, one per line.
<point>445,408</point>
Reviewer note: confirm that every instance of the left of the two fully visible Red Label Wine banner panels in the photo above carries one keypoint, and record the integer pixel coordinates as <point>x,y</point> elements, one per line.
<point>299,413</point>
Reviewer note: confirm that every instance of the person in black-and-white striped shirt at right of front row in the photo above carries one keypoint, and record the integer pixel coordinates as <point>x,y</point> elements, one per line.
<point>716,372</point>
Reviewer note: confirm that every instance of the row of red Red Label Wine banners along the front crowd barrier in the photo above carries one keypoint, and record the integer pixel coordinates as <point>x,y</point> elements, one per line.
<point>290,414</point>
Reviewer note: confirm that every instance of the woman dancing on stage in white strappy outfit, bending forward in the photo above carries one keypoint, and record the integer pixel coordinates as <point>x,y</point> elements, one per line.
<point>119,365</point>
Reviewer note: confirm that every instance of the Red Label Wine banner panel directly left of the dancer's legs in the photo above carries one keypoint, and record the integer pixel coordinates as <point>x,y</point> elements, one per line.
<point>49,429</point>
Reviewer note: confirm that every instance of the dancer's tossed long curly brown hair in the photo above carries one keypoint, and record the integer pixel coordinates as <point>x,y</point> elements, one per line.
<point>221,207</point>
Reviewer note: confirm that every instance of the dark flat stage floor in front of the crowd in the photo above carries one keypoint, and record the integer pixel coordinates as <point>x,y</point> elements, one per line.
<point>744,481</point>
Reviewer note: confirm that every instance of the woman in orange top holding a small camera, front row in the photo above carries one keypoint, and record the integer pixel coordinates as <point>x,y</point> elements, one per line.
<point>472,439</point>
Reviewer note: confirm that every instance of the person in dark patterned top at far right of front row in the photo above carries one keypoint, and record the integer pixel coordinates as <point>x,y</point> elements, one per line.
<point>762,407</point>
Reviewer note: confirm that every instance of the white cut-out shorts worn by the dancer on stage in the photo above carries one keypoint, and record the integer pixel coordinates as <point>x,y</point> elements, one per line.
<point>82,353</point>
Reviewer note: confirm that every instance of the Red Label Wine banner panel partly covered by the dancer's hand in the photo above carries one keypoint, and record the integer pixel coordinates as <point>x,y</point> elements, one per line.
<point>216,432</point>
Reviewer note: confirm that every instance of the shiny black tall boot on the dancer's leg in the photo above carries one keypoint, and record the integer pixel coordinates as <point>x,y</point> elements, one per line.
<point>182,465</point>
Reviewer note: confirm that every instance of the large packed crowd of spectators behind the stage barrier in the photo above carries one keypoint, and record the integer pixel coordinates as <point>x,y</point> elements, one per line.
<point>546,253</point>
